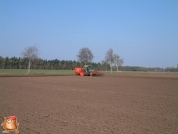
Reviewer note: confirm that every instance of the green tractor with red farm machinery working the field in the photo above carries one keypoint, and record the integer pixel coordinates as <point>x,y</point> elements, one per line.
<point>87,71</point>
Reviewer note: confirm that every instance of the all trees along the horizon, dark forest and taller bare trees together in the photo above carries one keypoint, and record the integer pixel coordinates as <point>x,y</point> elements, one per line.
<point>113,62</point>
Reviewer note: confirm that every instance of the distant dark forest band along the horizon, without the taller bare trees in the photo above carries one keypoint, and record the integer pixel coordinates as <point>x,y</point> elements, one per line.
<point>22,63</point>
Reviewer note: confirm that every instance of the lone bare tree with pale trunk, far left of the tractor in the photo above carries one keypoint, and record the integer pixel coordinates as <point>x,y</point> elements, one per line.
<point>31,53</point>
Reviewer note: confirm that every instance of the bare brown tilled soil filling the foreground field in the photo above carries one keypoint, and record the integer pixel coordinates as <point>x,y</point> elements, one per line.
<point>91,105</point>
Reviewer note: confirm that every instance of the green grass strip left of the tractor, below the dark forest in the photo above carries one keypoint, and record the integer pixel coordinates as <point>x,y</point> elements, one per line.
<point>7,72</point>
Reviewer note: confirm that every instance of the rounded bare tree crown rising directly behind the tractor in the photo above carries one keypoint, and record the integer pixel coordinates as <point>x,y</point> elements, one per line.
<point>85,55</point>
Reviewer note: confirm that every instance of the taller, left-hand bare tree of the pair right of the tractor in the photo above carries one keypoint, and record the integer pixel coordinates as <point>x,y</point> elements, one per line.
<point>110,57</point>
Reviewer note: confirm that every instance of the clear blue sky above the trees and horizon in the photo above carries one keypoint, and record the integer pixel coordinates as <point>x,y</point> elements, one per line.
<point>143,32</point>
